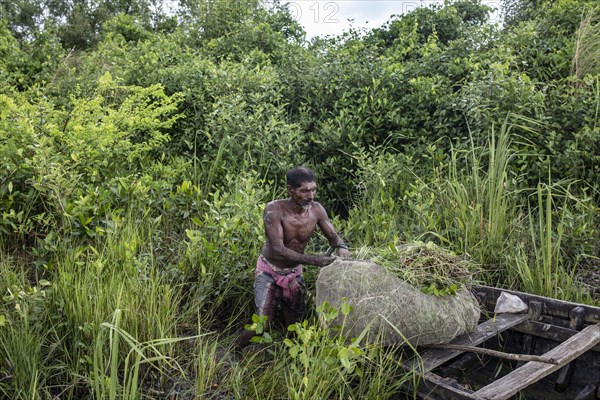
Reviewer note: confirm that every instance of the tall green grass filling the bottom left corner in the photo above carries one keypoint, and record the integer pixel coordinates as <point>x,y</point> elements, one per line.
<point>52,336</point>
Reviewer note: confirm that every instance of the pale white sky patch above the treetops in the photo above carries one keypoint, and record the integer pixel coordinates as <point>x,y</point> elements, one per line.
<point>332,17</point>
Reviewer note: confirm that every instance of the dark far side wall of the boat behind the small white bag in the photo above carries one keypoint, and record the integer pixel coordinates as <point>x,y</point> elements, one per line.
<point>552,307</point>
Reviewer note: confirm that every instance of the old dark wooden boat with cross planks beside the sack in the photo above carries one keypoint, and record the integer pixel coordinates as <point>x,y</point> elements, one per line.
<point>565,335</point>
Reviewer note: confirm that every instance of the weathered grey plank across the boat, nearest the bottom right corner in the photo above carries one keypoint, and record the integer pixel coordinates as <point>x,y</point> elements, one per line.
<point>533,371</point>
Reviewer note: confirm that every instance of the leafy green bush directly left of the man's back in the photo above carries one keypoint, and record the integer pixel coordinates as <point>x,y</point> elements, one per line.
<point>226,239</point>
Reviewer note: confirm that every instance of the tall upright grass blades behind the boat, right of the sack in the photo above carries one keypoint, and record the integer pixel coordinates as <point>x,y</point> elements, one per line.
<point>489,216</point>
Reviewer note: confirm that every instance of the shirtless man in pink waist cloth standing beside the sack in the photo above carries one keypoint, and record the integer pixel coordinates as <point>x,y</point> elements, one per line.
<point>289,224</point>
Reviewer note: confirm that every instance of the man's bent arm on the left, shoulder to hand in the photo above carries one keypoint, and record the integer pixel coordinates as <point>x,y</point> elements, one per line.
<point>276,248</point>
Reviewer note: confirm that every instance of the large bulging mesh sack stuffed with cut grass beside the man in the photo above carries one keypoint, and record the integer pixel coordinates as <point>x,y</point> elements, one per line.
<point>377,295</point>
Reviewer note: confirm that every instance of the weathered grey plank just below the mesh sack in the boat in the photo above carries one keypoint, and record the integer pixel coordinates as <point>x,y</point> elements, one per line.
<point>433,358</point>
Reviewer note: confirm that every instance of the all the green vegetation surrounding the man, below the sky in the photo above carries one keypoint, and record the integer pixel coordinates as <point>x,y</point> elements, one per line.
<point>138,147</point>
